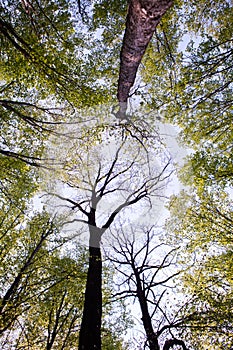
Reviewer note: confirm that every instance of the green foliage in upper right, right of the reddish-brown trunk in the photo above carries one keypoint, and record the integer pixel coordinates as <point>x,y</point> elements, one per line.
<point>192,88</point>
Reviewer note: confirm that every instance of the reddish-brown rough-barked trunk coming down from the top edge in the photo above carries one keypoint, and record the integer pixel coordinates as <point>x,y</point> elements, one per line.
<point>142,19</point>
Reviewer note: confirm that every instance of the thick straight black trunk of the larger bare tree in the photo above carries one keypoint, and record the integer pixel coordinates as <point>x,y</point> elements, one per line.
<point>90,332</point>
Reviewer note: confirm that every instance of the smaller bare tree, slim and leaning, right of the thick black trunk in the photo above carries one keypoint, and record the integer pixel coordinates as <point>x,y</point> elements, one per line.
<point>147,268</point>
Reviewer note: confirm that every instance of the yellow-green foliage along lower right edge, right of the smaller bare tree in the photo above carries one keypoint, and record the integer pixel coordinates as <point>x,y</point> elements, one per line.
<point>206,229</point>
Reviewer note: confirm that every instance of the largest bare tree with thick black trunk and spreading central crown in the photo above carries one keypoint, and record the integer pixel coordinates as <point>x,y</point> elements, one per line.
<point>94,178</point>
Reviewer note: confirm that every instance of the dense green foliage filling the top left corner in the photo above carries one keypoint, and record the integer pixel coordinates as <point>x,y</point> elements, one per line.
<point>44,48</point>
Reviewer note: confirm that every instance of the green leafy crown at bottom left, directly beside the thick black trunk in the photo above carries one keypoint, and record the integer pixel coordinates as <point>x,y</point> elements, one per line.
<point>55,313</point>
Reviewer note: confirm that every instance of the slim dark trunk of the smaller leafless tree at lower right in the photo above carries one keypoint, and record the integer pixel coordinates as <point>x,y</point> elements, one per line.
<point>146,319</point>
